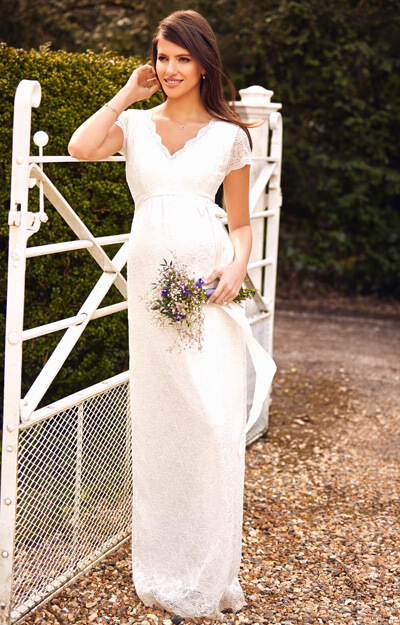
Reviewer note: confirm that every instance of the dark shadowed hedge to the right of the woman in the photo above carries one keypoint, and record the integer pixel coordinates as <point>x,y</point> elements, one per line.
<point>335,66</point>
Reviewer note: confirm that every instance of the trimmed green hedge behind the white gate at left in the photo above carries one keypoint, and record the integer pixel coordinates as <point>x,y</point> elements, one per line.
<point>73,87</point>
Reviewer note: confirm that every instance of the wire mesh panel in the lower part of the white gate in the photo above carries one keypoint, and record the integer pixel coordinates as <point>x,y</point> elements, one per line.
<point>74,493</point>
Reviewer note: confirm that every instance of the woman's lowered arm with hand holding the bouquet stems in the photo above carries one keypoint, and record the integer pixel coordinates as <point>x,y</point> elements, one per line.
<point>236,194</point>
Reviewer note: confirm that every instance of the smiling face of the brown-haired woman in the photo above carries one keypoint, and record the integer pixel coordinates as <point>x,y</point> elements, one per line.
<point>178,71</point>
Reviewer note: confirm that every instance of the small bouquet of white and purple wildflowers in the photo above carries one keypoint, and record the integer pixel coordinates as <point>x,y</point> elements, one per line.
<point>176,298</point>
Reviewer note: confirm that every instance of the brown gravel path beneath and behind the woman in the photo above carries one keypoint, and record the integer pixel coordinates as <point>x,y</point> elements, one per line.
<point>322,499</point>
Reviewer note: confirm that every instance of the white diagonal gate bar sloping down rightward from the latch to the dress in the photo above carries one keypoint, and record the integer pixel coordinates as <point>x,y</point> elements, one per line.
<point>78,227</point>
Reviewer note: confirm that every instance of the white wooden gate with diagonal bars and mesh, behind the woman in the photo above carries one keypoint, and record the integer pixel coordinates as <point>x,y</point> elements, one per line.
<point>65,472</point>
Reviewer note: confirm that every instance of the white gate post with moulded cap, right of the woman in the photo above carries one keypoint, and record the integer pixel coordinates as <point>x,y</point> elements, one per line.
<point>256,106</point>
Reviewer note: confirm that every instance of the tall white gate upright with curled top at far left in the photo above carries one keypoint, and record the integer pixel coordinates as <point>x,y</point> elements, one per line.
<point>28,95</point>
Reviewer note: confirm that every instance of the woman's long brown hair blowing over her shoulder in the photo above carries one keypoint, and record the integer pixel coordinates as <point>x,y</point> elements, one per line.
<point>190,30</point>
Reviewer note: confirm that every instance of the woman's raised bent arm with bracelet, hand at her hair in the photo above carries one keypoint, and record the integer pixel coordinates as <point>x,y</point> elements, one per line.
<point>99,137</point>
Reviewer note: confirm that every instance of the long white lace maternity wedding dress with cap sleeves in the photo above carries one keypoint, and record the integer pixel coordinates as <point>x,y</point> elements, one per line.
<point>188,407</point>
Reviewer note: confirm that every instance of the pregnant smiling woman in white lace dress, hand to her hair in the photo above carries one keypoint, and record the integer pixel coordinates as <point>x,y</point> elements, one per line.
<point>188,406</point>
